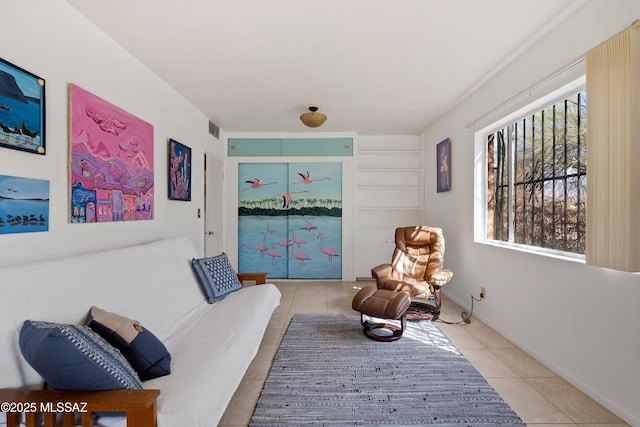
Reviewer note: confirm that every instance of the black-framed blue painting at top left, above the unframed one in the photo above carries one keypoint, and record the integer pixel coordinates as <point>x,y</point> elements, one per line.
<point>22,114</point>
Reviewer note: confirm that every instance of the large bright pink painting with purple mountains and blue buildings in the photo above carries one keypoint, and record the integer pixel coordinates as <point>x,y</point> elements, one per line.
<point>111,162</point>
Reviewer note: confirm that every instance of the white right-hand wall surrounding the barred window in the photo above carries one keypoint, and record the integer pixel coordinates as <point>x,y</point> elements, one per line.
<point>579,320</point>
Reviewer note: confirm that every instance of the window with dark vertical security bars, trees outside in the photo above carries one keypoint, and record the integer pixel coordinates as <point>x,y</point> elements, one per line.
<point>537,177</point>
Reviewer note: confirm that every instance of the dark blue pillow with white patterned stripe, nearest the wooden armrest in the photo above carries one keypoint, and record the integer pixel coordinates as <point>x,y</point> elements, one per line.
<point>71,357</point>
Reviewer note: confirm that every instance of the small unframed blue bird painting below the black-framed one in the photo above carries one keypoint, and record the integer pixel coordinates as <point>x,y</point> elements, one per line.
<point>24,205</point>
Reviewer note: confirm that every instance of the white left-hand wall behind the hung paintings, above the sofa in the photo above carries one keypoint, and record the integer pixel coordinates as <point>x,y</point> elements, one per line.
<point>52,40</point>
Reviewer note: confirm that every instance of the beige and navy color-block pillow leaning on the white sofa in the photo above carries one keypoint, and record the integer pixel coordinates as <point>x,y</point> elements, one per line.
<point>147,355</point>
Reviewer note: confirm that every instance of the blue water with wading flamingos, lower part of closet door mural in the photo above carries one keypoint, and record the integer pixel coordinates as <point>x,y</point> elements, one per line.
<point>295,247</point>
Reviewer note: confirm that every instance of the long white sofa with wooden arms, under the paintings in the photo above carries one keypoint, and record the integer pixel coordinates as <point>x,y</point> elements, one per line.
<point>211,345</point>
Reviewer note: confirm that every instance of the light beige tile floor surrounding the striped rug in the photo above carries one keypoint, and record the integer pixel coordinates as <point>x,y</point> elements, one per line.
<point>539,396</point>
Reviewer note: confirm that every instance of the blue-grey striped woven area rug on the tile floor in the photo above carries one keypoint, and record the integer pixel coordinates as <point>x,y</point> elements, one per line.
<point>328,373</point>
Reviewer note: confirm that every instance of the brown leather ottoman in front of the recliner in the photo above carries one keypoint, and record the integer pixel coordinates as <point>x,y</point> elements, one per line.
<point>382,304</point>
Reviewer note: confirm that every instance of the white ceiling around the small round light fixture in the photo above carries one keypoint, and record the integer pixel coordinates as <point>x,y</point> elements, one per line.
<point>373,66</point>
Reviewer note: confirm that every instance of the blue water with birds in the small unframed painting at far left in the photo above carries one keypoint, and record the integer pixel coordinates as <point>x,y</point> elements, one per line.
<point>23,216</point>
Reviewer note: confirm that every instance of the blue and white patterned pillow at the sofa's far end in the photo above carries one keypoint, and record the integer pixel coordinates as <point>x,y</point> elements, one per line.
<point>216,277</point>
